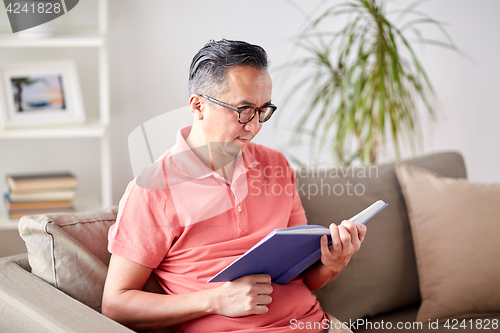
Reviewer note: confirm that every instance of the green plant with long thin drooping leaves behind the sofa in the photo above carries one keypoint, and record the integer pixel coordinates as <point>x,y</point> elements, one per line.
<point>363,81</point>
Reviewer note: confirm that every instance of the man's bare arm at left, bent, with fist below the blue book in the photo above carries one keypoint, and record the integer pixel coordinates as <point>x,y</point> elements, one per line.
<point>125,302</point>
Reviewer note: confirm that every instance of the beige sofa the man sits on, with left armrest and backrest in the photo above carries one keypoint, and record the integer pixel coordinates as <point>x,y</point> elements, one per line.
<point>59,288</point>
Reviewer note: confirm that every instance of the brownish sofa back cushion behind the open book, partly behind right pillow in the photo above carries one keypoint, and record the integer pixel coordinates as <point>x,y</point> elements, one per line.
<point>382,276</point>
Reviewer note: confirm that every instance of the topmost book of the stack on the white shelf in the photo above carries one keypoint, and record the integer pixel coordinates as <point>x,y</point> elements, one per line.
<point>24,182</point>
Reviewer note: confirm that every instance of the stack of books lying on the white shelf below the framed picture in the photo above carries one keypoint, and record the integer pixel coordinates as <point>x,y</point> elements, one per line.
<point>31,194</point>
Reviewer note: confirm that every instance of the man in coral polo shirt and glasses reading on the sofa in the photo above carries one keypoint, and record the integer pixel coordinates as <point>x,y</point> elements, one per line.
<point>193,212</point>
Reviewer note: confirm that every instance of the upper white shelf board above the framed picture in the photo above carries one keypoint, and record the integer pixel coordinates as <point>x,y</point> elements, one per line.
<point>75,38</point>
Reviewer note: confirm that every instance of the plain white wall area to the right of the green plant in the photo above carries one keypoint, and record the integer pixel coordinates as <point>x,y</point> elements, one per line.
<point>468,90</point>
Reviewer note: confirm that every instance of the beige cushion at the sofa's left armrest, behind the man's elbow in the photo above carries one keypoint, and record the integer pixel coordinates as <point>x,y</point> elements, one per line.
<point>69,251</point>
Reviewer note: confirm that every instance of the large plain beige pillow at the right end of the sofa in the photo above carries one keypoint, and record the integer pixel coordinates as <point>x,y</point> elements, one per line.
<point>455,227</point>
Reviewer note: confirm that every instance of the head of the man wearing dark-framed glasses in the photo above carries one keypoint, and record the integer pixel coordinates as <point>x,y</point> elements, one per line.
<point>228,73</point>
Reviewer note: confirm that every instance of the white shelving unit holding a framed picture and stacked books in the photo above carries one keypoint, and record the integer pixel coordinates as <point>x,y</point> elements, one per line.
<point>94,38</point>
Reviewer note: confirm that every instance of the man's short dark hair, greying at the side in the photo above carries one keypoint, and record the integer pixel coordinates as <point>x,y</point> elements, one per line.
<point>207,73</point>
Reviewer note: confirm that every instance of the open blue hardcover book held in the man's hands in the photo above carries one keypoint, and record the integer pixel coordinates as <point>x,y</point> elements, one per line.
<point>285,253</point>
